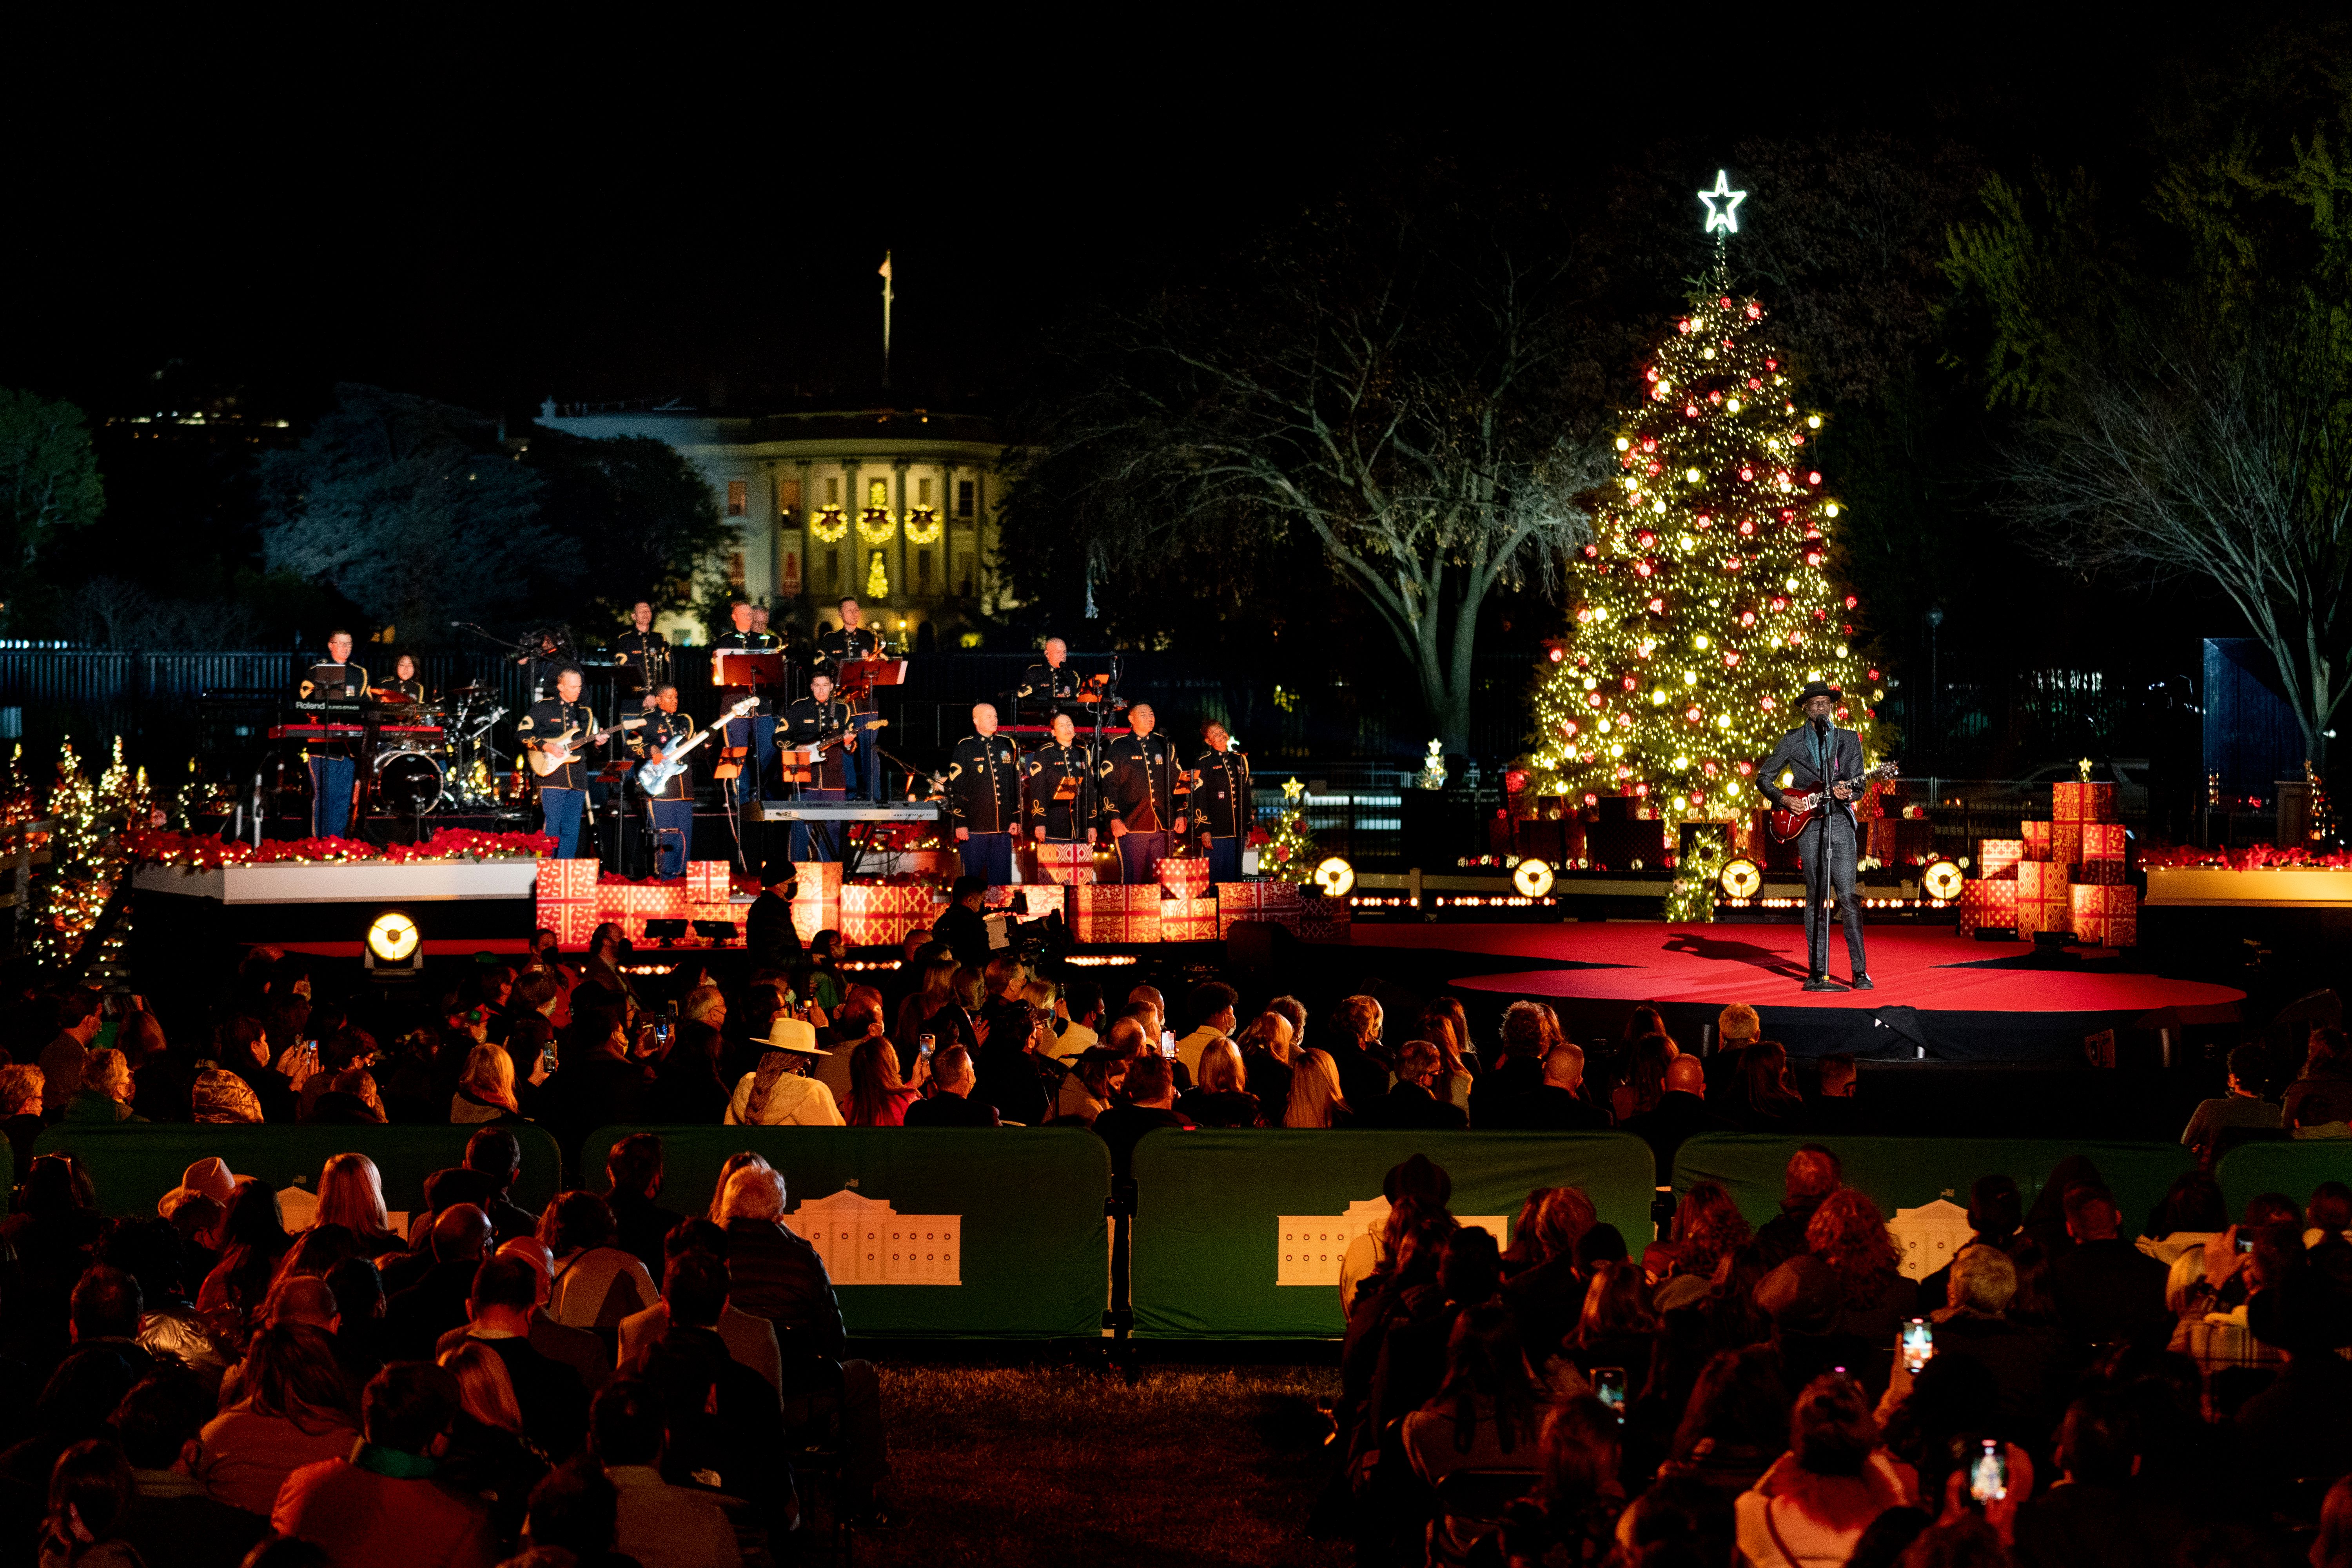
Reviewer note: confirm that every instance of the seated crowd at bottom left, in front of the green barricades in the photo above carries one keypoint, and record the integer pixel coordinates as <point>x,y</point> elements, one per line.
<point>601,1383</point>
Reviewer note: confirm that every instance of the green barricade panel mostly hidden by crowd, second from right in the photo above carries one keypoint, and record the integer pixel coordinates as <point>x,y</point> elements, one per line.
<point>1916,1172</point>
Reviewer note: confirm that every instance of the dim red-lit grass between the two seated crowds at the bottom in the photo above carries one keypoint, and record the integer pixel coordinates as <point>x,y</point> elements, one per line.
<point>1067,1466</point>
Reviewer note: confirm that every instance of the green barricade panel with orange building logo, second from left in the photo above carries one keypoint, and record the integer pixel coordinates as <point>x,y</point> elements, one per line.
<point>940,1233</point>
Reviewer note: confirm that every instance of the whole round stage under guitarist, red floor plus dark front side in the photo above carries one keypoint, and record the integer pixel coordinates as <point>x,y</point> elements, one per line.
<point>1951,998</point>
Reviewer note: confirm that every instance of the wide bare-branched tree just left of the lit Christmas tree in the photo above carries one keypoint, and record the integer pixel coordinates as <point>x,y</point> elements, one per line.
<point>1415,406</point>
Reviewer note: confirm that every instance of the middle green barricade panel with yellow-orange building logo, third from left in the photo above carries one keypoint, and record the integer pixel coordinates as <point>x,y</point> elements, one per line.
<point>1241,1231</point>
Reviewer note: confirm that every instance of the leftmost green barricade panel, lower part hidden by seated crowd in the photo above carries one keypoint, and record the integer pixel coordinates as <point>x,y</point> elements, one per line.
<point>138,1162</point>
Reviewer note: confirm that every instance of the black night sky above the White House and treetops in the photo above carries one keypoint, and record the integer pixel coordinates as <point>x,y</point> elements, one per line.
<point>495,217</point>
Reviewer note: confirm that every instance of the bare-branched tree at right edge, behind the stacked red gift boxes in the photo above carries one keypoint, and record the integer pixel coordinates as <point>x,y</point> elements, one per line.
<point>2219,457</point>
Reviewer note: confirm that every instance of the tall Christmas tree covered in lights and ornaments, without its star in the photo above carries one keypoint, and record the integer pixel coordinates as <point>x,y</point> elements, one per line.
<point>1702,605</point>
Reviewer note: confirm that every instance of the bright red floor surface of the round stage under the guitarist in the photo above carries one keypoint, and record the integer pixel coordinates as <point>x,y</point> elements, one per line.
<point>1718,965</point>
